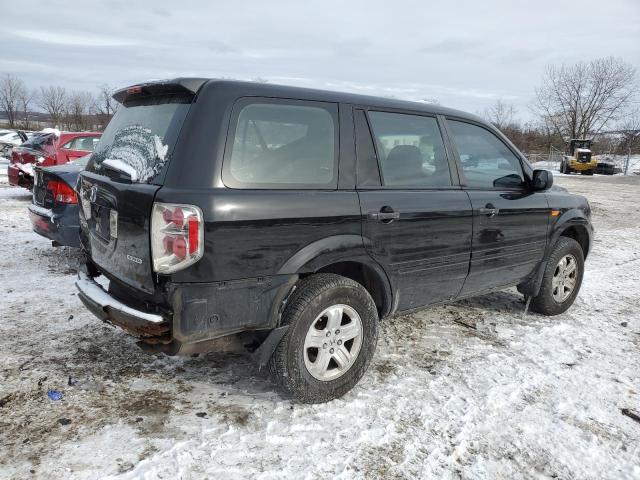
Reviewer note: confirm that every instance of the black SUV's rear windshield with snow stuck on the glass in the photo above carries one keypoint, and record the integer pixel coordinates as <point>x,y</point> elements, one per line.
<point>140,137</point>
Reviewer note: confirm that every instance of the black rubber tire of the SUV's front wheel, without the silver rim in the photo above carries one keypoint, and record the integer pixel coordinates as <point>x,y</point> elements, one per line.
<point>544,302</point>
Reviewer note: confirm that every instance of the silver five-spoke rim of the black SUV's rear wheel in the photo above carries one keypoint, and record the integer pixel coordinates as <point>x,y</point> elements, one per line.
<point>333,342</point>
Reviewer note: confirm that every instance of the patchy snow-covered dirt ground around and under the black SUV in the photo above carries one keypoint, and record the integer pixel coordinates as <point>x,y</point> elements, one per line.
<point>471,390</point>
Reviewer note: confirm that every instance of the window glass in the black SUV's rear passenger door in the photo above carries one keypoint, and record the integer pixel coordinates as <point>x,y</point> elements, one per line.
<point>410,149</point>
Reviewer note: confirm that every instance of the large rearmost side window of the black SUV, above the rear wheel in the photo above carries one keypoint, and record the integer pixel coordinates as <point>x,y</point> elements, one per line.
<point>285,144</point>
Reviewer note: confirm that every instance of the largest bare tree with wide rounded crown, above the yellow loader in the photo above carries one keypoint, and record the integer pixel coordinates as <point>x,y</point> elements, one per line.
<point>580,100</point>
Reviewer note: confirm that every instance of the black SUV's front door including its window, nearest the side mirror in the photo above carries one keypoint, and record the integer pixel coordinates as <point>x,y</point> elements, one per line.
<point>509,218</point>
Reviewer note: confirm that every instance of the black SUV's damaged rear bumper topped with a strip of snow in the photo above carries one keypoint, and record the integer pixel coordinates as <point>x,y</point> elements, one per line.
<point>144,325</point>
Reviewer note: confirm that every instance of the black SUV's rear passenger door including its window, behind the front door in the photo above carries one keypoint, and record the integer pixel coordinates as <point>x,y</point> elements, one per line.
<point>416,219</point>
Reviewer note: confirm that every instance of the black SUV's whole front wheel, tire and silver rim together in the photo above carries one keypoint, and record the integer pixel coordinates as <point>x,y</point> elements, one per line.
<point>562,278</point>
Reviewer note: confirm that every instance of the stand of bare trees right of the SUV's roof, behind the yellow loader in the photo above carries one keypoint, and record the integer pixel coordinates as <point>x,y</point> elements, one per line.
<point>596,100</point>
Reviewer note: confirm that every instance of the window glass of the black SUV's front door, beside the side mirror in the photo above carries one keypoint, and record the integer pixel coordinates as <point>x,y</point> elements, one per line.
<point>486,161</point>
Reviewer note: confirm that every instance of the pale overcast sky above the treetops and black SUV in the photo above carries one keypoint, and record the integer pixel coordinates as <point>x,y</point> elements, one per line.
<point>463,53</point>
